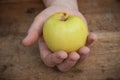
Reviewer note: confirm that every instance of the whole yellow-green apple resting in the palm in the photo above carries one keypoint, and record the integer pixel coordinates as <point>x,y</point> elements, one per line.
<point>62,31</point>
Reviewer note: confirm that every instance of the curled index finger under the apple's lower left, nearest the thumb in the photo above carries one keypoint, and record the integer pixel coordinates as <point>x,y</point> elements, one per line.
<point>51,59</point>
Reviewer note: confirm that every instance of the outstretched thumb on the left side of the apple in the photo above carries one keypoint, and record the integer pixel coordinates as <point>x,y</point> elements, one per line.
<point>34,31</point>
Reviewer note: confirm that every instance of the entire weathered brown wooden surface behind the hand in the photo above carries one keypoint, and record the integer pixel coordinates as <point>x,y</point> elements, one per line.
<point>23,63</point>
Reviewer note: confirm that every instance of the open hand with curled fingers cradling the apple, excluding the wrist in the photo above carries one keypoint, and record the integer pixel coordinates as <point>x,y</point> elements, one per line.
<point>62,60</point>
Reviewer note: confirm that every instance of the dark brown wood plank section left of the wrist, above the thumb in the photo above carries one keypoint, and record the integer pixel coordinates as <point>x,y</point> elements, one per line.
<point>17,18</point>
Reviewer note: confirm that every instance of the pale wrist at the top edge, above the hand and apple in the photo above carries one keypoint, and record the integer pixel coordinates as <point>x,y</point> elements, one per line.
<point>71,4</point>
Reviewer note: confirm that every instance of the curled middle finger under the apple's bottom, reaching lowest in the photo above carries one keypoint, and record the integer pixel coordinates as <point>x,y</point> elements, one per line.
<point>69,62</point>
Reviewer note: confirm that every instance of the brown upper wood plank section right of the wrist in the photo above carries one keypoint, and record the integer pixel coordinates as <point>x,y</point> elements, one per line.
<point>101,15</point>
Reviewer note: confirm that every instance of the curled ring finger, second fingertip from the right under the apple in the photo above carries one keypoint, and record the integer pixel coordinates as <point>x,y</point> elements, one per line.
<point>84,52</point>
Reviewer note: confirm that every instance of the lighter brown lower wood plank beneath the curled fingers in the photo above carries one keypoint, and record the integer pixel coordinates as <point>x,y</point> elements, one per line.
<point>18,62</point>
